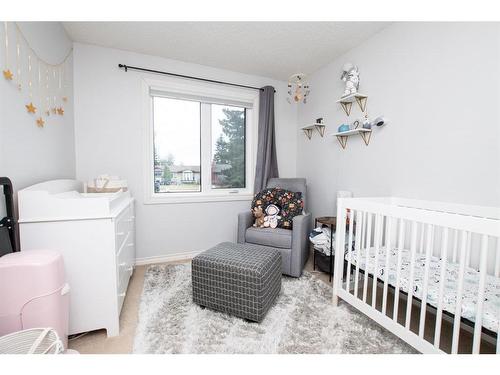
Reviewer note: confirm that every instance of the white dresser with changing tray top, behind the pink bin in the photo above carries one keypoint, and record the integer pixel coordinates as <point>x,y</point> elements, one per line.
<point>95,233</point>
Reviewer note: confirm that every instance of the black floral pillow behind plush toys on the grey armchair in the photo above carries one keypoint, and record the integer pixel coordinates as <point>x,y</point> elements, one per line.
<point>289,203</point>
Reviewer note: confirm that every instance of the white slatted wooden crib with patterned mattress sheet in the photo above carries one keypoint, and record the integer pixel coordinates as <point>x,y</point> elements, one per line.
<point>429,272</point>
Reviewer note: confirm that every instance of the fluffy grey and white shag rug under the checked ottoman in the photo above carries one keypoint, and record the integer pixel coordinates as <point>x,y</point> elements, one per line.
<point>303,320</point>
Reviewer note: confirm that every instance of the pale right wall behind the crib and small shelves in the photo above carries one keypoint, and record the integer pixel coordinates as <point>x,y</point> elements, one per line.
<point>439,84</point>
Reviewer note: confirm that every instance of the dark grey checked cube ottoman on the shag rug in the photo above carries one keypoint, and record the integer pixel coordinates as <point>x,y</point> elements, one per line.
<point>238,279</point>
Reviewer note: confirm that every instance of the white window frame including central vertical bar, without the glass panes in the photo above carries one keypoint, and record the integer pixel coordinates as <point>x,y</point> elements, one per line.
<point>183,89</point>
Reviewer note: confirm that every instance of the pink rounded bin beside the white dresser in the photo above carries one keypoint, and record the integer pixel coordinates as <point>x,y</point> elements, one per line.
<point>33,292</point>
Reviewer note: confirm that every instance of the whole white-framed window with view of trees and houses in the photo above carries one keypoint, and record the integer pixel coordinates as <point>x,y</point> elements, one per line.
<point>200,142</point>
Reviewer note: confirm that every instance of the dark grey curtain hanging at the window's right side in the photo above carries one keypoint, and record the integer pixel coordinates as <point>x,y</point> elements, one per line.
<point>267,163</point>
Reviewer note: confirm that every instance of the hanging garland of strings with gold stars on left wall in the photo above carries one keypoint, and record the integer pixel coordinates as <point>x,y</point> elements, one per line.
<point>44,84</point>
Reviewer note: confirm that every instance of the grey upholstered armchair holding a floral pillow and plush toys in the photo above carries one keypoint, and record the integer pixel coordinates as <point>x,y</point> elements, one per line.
<point>292,244</point>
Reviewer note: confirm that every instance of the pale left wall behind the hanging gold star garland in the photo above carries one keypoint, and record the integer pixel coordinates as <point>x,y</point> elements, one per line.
<point>29,154</point>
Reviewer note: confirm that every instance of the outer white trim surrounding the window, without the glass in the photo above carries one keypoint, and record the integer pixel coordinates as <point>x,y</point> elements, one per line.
<point>180,86</point>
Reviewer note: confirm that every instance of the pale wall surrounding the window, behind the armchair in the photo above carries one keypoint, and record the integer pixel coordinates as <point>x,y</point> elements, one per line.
<point>108,133</point>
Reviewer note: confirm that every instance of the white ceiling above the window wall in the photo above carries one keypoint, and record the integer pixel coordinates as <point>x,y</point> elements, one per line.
<point>270,49</point>
